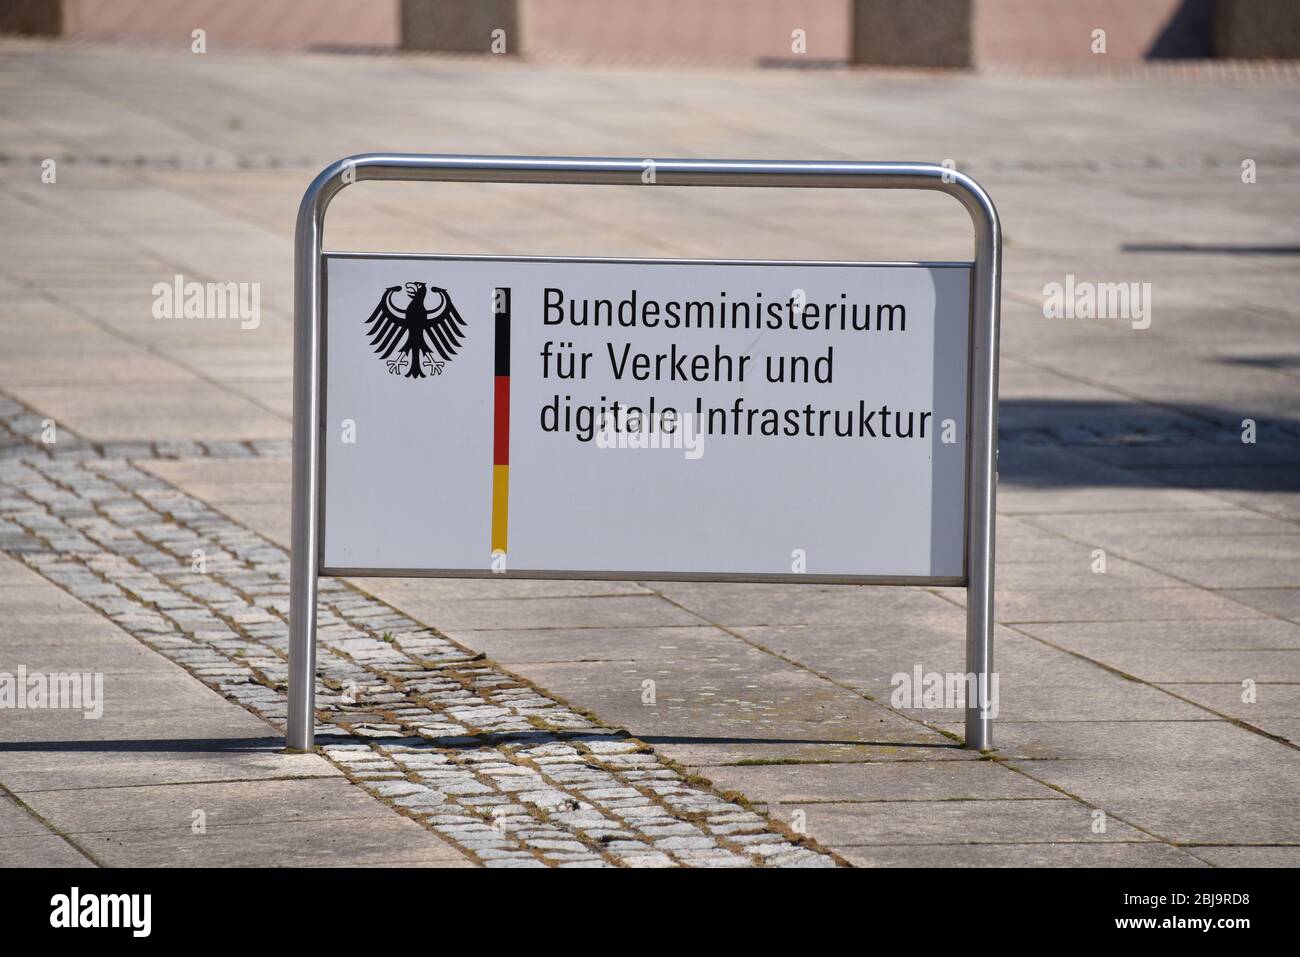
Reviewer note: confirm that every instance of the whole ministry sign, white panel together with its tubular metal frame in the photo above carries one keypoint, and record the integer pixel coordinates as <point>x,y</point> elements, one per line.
<point>644,419</point>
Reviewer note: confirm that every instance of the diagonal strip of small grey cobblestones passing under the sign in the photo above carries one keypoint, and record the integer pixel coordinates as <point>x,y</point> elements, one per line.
<point>504,772</point>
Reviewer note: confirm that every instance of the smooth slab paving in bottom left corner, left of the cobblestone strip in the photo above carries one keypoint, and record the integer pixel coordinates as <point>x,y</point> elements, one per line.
<point>163,742</point>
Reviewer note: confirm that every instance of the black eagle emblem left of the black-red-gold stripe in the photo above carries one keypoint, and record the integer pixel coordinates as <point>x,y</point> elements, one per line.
<point>417,331</point>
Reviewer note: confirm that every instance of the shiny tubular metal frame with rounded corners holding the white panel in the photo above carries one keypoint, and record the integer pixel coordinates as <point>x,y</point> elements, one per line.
<point>306,558</point>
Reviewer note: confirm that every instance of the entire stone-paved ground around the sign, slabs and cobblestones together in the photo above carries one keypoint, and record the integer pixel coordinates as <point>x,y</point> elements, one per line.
<point>1149,604</point>
